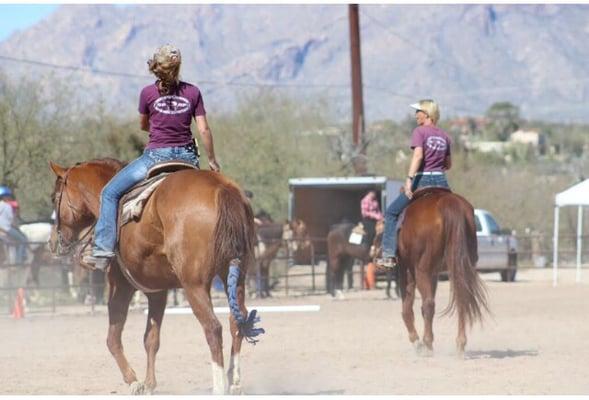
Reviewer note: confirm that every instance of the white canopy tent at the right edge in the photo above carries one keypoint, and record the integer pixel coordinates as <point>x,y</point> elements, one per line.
<point>578,196</point>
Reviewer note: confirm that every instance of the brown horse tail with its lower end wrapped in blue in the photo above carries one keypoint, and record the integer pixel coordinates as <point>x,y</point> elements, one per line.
<point>234,247</point>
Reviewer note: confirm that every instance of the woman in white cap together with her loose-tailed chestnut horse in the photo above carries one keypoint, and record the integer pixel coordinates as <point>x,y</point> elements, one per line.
<point>438,234</point>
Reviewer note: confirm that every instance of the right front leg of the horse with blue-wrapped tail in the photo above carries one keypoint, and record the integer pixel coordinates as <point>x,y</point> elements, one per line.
<point>151,339</point>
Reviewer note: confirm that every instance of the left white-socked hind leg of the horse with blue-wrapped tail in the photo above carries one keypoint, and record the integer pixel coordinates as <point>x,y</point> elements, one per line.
<point>200,301</point>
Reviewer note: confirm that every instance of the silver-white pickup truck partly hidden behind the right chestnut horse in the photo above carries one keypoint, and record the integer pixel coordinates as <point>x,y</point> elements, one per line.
<point>497,247</point>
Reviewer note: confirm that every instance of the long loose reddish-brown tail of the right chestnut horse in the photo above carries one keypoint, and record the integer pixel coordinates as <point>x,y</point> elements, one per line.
<point>469,295</point>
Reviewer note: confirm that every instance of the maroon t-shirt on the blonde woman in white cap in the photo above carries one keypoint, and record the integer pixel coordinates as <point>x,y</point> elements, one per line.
<point>436,146</point>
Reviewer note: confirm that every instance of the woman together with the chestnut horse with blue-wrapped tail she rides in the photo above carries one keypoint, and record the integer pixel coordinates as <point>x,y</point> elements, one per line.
<point>196,224</point>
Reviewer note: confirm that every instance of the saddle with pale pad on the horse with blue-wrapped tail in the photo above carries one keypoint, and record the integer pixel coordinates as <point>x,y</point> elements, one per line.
<point>132,203</point>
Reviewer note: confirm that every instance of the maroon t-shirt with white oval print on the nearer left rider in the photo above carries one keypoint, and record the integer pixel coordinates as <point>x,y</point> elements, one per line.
<point>170,115</point>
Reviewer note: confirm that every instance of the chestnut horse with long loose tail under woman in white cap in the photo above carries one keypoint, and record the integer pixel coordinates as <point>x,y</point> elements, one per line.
<point>439,234</point>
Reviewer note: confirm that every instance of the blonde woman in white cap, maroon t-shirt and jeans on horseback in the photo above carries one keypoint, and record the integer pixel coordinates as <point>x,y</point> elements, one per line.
<point>431,159</point>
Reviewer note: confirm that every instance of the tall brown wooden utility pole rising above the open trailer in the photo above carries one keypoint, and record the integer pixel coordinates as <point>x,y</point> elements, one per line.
<point>357,99</point>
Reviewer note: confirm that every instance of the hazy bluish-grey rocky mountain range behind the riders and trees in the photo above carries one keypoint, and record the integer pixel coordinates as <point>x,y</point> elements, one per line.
<point>467,57</point>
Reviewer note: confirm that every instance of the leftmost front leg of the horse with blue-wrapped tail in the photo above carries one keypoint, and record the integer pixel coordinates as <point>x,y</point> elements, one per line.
<point>120,296</point>
